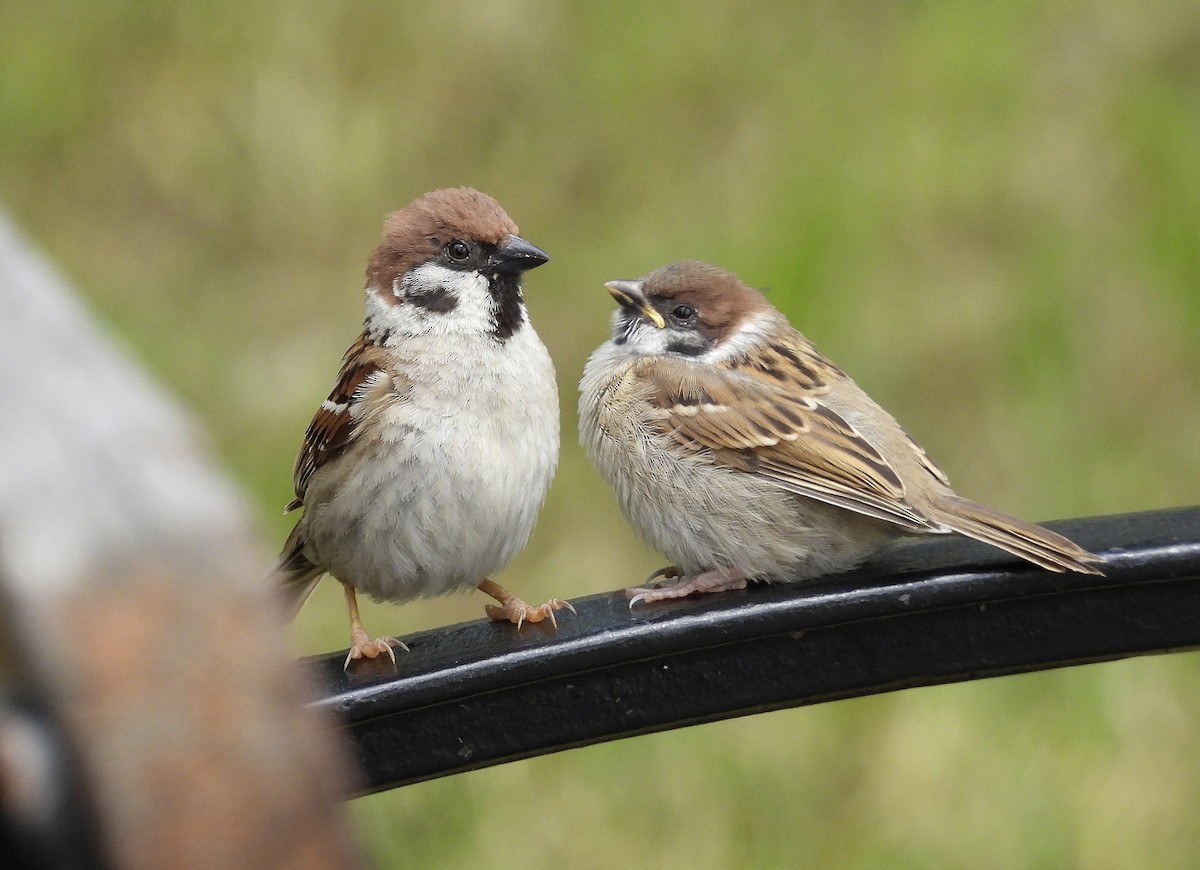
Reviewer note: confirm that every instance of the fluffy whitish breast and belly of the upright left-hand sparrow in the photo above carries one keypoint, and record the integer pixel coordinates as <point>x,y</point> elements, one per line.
<point>448,489</point>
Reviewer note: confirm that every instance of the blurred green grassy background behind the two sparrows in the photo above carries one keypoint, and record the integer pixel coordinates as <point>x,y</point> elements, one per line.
<point>988,213</point>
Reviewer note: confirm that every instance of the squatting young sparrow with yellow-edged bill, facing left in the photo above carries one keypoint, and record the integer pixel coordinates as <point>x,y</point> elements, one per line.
<point>743,454</point>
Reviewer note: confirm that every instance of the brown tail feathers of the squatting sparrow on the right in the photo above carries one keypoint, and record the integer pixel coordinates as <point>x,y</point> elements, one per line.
<point>1024,539</point>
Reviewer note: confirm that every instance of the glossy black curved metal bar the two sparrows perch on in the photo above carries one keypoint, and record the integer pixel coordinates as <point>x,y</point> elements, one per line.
<point>931,611</point>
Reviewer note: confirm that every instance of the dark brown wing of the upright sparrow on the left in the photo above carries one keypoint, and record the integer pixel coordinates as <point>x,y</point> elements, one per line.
<point>337,422</point>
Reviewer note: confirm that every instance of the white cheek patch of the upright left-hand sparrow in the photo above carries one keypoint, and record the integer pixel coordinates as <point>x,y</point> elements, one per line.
<point>473,310</point>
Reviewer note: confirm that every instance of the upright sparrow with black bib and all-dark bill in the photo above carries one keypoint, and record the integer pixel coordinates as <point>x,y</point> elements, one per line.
<point>424,470</point>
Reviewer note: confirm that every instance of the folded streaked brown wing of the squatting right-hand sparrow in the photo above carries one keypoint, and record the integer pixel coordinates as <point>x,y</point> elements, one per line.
<point>775,424</point>
